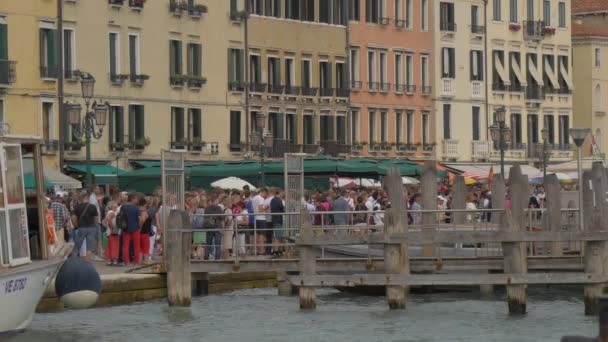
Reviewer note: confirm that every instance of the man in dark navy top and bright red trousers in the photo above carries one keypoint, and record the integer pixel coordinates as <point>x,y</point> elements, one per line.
<point>134,220</point>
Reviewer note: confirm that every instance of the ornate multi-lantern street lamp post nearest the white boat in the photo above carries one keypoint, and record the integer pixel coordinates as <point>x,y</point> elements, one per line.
<point>91,126</point>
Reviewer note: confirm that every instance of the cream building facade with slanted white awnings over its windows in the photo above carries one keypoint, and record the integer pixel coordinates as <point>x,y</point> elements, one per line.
<point>529,69</point>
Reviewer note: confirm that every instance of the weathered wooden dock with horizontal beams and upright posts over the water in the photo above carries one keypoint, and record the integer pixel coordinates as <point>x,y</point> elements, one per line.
<point>515,267</point>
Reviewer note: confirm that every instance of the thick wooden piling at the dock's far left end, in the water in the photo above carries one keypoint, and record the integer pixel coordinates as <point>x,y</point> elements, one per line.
<point>177,253</point>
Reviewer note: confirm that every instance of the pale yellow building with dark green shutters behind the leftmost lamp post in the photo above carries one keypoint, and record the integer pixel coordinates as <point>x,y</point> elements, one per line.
<point>162,66</point>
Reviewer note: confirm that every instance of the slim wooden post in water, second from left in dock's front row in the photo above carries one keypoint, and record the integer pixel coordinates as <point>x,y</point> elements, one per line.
<point>307,264</point>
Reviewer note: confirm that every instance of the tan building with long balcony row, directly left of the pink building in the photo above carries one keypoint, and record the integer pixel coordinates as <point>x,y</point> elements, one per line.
<point>298,74</point>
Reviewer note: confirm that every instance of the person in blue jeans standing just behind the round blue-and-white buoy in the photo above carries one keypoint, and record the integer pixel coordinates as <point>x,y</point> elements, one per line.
<point>85,218</point>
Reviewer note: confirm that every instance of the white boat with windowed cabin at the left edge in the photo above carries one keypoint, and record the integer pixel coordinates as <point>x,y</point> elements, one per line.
<point>23,277</point>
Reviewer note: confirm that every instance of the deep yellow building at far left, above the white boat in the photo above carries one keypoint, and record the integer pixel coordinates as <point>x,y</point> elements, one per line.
<point>28,70</point>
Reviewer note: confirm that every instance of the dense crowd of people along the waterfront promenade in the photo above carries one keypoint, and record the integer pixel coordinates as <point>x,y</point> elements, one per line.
<point>125,228</point>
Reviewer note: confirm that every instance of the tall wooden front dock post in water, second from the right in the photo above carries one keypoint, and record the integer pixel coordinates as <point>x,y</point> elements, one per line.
<point>514,253</point>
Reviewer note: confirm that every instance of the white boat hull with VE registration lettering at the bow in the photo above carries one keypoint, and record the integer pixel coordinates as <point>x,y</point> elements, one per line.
<point>20,291</point>
